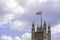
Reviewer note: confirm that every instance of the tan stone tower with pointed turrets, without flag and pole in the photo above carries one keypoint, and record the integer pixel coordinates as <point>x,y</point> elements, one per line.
<point>43,32</point>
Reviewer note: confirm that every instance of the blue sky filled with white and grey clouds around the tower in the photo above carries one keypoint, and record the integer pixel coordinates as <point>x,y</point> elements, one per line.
<point>16,17</point>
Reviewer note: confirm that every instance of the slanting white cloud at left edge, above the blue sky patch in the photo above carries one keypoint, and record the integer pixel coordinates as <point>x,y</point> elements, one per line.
<point>6,18</point>
